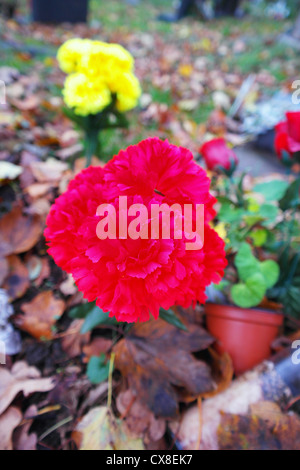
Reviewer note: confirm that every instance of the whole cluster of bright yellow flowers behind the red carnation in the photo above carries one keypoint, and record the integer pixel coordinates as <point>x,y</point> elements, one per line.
<point>97,71</point>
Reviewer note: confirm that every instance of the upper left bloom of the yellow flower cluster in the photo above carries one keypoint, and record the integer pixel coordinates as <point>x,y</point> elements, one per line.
<point>70,54</point>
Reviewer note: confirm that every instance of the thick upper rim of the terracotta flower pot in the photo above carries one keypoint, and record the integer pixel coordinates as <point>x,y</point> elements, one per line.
<point>244,315</point>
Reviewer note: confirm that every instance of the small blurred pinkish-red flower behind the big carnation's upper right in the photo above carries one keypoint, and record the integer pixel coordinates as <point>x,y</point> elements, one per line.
<point>218,155</point>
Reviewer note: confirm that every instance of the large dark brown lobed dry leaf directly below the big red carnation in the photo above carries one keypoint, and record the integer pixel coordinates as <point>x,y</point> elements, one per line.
<point>156,357</point>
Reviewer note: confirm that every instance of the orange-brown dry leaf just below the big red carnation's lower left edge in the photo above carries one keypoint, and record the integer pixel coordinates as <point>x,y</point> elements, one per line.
<point>40,315</point>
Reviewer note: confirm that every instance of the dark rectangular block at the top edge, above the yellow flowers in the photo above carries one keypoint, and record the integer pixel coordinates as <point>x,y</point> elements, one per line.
<point>57,11</point>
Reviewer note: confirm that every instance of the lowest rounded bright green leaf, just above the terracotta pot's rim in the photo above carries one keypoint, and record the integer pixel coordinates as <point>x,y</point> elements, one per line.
<point>250,293</point>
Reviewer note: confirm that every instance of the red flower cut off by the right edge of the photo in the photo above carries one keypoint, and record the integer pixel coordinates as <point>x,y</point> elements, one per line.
<point>287,137</point>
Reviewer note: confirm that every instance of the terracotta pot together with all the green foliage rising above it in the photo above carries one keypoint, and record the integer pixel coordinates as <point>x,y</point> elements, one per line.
<point>262,279</point>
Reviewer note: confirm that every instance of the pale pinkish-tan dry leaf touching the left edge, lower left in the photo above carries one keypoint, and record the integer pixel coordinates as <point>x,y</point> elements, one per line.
<point>21,378</point>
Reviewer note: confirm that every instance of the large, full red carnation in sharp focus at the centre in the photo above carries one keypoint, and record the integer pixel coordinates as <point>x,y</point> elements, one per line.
<point>132,278</point>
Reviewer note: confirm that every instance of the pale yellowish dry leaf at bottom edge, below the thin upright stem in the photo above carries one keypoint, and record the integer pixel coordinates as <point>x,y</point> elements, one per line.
<point>101,430</point>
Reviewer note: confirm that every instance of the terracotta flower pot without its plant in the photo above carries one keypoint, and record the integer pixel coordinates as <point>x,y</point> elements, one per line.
<point>246,334</point>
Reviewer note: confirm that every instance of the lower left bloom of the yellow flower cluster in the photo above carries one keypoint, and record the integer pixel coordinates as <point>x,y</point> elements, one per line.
<point>86,96</point>
